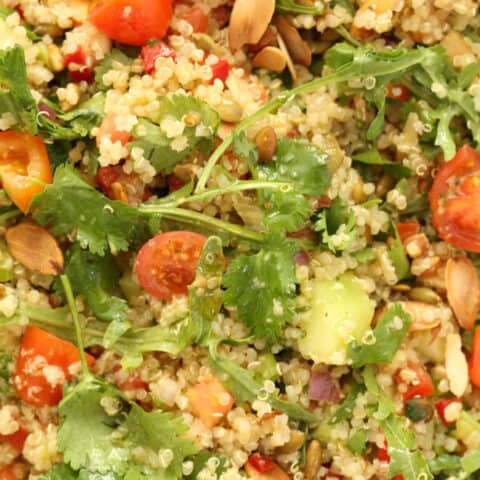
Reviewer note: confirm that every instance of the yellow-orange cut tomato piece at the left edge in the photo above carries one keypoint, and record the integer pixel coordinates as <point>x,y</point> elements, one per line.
<point>23,156</point>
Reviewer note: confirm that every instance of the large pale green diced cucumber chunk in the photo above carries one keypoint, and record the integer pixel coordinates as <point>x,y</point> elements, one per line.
<point>340,311</point>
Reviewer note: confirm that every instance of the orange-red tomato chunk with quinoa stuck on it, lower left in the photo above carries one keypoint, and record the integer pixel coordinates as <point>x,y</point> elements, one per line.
<point>43,365</point>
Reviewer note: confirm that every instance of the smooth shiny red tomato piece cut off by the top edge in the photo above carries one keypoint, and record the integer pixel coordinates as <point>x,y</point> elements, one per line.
<point>132,22</point>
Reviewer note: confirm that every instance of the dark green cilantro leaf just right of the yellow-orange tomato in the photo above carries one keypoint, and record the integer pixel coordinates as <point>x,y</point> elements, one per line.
<point>71,205</point>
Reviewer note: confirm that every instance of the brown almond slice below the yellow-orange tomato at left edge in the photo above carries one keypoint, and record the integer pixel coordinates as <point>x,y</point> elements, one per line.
<point>35,248</point>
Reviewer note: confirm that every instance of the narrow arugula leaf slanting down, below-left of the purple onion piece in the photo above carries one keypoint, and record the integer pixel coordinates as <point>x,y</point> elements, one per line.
<point>245,388</point>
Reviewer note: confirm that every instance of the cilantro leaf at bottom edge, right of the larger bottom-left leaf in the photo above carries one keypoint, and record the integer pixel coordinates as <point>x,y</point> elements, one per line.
<point>158,431</point>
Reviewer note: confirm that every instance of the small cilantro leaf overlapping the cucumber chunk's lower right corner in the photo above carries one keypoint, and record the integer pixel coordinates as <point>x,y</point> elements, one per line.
<point>387,336</point>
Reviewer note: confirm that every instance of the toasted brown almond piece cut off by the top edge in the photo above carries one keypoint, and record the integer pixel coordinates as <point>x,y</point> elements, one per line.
<point>248,22</point>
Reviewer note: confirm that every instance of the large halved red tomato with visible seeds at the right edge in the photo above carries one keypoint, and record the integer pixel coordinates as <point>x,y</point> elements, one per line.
<point>455,200</point>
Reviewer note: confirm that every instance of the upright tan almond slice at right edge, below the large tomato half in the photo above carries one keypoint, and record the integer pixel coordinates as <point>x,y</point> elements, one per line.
<point>463,290</point>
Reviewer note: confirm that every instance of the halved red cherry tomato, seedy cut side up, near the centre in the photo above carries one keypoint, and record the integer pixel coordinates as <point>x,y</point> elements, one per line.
<point>166,264</point>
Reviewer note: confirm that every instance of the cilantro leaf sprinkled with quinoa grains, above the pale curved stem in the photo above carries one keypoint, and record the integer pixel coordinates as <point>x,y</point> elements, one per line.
<point>165,152</point>
